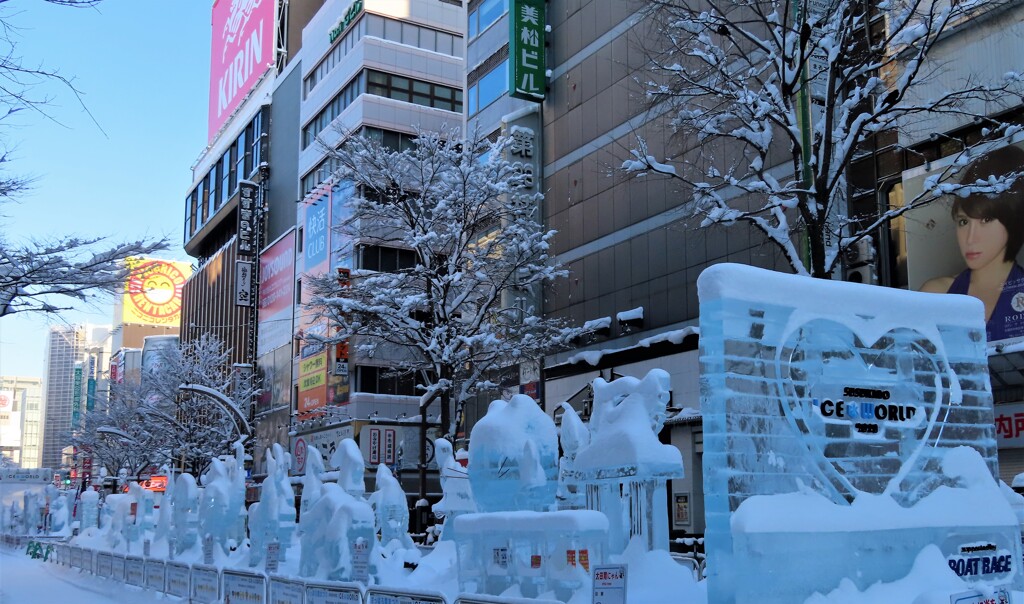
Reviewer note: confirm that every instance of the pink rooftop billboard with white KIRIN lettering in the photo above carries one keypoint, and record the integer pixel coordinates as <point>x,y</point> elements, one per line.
<point>241,52</point>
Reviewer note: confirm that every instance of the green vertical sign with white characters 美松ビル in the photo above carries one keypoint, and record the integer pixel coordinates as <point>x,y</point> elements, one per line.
<point>527,61</point>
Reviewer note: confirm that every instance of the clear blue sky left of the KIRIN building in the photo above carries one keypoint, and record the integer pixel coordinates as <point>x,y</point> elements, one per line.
<point>143,68</point>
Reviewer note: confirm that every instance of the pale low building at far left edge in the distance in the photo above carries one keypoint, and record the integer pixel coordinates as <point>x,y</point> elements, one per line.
<point>22,420</point>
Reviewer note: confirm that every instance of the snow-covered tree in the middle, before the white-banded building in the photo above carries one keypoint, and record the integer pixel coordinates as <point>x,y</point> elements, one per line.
<point>459,304</point>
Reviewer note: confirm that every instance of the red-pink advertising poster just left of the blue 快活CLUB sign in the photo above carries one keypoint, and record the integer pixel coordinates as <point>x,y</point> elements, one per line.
<point>277,292</point>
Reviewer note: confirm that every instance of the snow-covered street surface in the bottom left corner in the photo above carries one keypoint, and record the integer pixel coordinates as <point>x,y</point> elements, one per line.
<point>25,581</point>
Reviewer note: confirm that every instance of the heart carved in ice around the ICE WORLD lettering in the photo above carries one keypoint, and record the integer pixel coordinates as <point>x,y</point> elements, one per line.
<point>866,411</point>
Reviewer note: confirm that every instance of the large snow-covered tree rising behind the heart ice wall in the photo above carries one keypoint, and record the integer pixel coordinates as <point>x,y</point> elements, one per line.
<point>775,99</point>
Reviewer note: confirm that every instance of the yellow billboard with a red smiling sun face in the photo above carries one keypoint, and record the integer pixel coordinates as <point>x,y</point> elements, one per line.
<point>153,293</point>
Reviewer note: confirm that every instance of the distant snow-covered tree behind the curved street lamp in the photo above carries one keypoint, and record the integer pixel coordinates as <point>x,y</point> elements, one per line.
<point>194,427</point>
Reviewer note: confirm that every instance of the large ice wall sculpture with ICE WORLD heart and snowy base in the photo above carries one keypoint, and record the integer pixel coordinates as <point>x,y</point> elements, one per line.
<point>851,404</point>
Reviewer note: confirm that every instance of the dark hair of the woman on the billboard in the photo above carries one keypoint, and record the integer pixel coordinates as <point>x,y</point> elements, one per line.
<point>1007,207</point>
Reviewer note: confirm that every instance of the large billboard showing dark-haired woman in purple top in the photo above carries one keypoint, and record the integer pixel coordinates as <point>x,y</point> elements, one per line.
<point>960,254</point>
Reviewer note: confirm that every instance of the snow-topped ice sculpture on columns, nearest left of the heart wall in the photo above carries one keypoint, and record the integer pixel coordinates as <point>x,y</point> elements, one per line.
<point>625,467</point>
